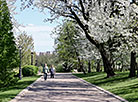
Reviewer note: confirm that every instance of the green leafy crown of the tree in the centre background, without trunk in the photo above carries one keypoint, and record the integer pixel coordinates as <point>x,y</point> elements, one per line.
<point>67,41</point>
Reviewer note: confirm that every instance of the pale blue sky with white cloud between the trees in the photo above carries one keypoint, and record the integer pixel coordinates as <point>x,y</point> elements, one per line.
<point>33,20</point>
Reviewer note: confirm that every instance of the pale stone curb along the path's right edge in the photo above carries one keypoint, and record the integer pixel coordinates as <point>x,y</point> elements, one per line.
<point>101,89</point>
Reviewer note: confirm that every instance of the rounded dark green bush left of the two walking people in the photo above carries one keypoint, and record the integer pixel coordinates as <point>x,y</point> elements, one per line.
<point>29,70</point>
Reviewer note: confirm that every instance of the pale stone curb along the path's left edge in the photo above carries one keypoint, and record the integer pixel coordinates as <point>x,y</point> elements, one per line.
<point>23,91</point>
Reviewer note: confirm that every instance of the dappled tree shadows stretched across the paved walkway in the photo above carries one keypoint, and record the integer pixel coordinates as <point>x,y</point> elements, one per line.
<point>55,89</point>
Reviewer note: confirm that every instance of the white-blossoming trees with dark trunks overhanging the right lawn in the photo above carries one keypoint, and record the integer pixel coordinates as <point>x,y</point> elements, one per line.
<point>109,25</point>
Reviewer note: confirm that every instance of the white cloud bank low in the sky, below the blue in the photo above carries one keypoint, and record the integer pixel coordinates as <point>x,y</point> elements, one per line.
<point>41,35</point>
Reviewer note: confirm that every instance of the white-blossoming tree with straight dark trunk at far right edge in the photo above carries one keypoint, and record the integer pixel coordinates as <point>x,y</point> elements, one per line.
<point>129,34</point>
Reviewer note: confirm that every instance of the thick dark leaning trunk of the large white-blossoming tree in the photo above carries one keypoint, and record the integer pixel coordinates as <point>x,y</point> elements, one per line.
<point>106,62</point>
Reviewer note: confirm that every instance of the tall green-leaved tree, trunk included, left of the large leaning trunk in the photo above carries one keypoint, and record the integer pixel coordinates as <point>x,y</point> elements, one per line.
<point>68,44</point>
